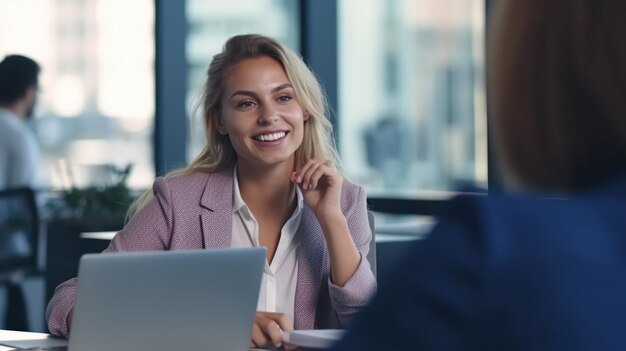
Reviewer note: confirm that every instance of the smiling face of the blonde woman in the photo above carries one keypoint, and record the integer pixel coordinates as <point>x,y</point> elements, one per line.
<point>260,114</point>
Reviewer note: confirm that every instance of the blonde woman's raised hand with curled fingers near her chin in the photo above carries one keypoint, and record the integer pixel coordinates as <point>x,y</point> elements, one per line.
<point>320,184</point>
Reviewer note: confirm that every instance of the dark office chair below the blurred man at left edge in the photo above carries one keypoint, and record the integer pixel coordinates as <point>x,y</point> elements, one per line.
<point>19,240</point>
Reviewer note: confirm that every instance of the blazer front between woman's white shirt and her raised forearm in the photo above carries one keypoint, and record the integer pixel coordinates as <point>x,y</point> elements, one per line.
<point>312,256</point>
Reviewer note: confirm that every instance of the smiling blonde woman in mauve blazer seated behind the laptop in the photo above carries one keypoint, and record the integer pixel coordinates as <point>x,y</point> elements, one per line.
<point>266,177</point>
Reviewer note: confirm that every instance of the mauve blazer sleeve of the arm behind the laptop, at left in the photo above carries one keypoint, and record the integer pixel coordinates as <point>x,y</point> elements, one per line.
<point>150,229</point>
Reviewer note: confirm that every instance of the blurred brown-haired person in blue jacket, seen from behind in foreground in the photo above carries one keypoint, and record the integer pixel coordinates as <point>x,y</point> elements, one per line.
<point>541,266</point>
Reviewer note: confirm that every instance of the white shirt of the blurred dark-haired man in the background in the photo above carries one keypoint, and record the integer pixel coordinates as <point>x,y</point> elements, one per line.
<point>19,152</point>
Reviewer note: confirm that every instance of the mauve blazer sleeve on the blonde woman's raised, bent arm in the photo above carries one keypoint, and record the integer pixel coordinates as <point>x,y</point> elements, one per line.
<point>359,289</point>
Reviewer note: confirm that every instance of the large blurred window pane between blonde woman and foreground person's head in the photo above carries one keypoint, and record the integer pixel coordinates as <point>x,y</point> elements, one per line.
<point>412,94</point>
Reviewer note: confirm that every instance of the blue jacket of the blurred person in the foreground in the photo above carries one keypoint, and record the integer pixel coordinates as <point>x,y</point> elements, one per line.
<point>508,272</point>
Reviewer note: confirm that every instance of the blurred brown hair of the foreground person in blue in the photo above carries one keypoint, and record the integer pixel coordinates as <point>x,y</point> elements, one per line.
<point>558,90</point>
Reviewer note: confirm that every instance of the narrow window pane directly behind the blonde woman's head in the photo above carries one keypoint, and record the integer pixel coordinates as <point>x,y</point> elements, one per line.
<point>212,22</point>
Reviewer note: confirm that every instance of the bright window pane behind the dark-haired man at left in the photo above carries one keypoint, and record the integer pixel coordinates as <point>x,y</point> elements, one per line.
<point>96,105</point>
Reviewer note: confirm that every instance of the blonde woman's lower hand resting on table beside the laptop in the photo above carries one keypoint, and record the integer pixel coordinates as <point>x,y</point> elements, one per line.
<point>268,328</point>
